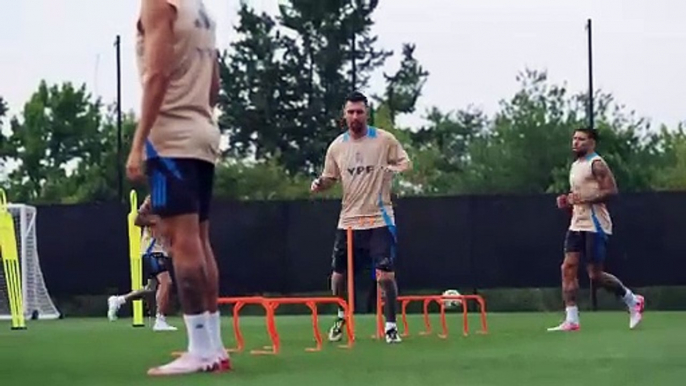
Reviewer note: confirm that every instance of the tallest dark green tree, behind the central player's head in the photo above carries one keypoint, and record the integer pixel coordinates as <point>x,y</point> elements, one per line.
<point>286,80</point>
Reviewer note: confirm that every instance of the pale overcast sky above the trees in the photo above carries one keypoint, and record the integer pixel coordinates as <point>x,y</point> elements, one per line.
<point>473,49</point>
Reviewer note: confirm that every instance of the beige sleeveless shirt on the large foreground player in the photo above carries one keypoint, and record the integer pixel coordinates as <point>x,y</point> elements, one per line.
<point>185,127</point>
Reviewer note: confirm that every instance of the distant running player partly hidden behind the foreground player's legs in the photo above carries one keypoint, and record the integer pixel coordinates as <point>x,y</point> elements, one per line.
<point>156,263</point>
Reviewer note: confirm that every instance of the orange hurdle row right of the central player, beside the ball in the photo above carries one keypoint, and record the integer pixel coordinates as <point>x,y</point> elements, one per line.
<point>427,299</point>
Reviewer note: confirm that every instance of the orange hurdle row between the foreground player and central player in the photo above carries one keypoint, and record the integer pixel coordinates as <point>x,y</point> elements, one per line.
<point>271,305</point>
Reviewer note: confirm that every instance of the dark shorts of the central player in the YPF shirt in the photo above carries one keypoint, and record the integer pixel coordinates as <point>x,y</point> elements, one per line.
<point>372,248</point>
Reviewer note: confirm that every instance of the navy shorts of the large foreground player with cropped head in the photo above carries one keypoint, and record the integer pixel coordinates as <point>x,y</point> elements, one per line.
<point>180,186</point>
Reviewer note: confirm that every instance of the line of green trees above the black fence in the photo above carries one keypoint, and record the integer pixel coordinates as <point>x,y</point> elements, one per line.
<point>283,83</point>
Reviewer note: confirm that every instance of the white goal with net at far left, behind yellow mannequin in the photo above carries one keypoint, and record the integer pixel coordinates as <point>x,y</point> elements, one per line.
<point>36,300</point>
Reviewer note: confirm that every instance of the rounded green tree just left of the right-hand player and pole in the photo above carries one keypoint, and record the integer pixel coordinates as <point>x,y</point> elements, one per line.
<point>528,139</point>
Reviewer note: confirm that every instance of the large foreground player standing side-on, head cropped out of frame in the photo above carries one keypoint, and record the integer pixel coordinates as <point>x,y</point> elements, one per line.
<point>178,65</point>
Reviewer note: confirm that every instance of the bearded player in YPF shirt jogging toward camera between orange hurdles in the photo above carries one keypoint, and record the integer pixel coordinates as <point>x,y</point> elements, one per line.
<point>364,160</point>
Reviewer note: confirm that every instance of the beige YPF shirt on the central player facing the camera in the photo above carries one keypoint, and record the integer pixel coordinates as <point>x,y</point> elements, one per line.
<point>366,184</point>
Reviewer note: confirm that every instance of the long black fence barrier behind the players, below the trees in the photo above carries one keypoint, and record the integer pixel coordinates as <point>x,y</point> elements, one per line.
<point>444,242</point>
